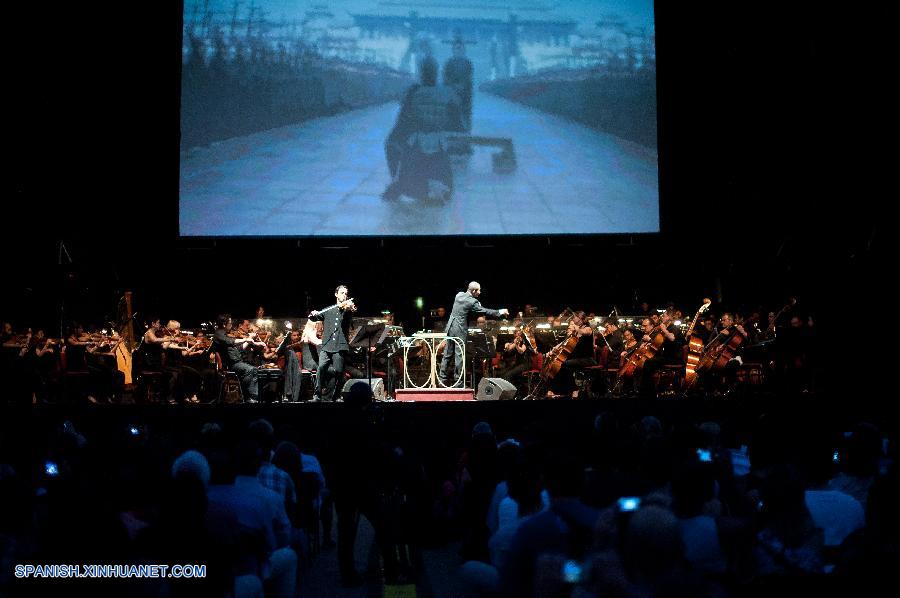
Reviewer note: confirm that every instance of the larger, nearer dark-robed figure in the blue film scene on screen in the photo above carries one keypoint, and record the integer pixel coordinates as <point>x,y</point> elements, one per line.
<point>416,148</point>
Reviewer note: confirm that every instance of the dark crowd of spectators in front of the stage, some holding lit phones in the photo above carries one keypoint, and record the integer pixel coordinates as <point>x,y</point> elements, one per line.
<point>632,504</point>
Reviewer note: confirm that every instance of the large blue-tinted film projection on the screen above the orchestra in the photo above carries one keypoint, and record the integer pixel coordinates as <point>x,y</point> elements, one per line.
<point>418,117</point>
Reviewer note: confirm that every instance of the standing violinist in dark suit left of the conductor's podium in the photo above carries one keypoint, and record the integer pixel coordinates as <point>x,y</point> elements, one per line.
<point>335,346</point>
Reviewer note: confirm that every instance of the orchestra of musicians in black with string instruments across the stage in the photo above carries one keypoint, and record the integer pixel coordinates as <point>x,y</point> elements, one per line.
<point>544,356</point>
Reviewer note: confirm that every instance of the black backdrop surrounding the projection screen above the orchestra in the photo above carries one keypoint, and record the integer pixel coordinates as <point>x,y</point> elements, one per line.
<point>771,120</point>
